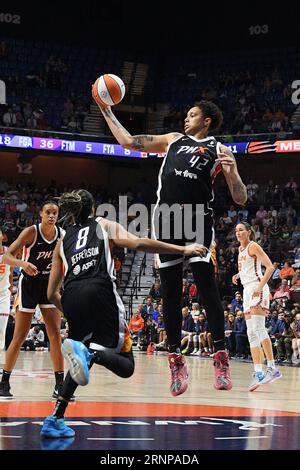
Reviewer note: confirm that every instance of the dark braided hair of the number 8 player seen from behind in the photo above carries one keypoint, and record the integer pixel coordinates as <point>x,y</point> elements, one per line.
<point>75,206</point>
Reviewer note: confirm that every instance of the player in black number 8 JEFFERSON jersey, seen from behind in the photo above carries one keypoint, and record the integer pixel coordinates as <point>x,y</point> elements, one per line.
<point>90,301</point>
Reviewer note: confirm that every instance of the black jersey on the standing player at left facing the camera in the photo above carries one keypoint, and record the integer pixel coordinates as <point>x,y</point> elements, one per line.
<point>40,252</point>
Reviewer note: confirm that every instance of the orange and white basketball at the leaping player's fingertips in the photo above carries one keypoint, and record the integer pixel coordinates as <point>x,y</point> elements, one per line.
<point>108,89</point>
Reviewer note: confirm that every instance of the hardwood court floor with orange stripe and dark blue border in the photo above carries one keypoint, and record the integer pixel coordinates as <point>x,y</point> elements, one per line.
<point>140,413</point>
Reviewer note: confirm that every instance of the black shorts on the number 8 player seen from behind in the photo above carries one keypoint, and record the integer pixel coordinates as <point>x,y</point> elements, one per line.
<point>96,315</point>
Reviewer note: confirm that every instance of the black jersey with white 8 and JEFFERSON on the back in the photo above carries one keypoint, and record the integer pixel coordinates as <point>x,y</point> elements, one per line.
<point>86,254</point>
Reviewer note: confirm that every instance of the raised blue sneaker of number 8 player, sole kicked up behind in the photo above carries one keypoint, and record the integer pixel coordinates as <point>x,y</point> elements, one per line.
<point>78,357</point>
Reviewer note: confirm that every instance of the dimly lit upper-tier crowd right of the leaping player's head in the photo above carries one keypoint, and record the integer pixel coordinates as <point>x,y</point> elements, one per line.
<point>252,103</point>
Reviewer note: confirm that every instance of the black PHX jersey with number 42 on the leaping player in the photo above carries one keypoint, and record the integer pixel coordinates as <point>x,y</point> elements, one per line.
<point>188,171</point>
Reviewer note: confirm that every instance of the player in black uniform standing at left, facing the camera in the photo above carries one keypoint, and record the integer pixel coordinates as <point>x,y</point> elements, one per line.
<point>37,242</point>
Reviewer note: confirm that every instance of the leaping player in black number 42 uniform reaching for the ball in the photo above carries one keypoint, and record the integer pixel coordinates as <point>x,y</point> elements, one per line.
<point>186,176</point>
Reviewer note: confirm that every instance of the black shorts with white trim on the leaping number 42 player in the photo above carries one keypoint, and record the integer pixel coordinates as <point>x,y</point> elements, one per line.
<point>177,234</point>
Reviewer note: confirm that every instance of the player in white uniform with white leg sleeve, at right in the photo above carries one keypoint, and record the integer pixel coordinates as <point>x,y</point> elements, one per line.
<point>256,300</point>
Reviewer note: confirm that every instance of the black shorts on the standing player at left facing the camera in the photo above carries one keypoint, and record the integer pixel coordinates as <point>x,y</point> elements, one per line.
<point>32,292</point>
